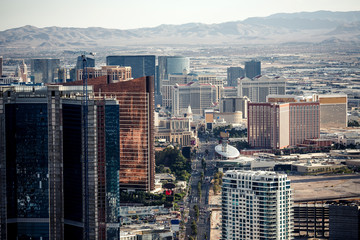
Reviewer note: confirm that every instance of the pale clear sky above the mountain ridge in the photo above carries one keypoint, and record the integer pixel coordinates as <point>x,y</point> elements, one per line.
<point>128,14</point>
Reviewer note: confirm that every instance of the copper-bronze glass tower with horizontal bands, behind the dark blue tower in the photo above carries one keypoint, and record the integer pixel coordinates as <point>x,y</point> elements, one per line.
<point>136,128</point>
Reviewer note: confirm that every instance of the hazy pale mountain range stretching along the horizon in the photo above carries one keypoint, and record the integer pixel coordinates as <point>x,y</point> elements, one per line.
<point>315,27</point>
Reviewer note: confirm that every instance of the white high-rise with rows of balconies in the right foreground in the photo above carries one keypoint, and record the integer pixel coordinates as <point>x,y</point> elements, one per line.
<point>256,205</point>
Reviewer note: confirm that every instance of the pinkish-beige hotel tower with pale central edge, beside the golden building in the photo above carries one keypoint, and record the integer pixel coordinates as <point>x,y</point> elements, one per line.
<point>278,126</point>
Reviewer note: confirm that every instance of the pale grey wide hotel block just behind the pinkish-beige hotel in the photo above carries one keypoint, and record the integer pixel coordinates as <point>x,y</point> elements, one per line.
<point>258,88</point>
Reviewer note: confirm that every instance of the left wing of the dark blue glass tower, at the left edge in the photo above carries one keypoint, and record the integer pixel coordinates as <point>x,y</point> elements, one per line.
<point>31,158</point>
